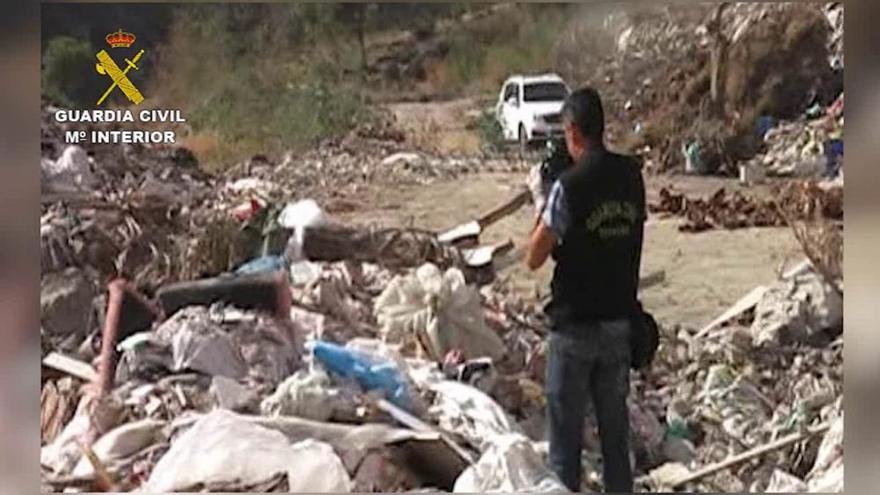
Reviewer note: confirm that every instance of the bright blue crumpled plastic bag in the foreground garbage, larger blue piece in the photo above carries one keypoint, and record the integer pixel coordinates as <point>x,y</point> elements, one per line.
<point>370,373</point>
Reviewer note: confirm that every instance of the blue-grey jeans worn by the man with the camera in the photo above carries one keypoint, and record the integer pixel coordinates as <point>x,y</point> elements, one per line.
<point>586,362</point>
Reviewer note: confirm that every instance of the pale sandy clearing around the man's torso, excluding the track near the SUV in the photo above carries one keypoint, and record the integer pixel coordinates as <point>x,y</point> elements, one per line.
<point>705,272</point>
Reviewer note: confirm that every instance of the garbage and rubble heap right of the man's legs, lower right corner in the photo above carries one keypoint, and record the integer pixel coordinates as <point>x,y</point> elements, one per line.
<point>756,382</point>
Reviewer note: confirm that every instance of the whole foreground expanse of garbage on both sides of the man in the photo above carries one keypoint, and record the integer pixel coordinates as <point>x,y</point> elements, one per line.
<point>194,338</point>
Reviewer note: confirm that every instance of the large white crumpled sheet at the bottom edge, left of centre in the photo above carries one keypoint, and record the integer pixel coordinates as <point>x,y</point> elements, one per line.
<point>222,447</point>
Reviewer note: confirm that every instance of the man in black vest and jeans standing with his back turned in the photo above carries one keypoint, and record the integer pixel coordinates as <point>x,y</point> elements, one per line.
<point>592,224</point>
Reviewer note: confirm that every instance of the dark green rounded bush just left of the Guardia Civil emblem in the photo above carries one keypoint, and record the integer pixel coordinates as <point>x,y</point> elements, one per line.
<point>64,79</point>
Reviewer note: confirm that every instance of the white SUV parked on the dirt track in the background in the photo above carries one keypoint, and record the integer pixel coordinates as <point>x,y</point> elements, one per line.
<point>529,108</point>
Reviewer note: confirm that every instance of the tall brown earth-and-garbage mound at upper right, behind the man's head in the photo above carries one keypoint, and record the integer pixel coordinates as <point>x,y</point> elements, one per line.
<point>656,68</point>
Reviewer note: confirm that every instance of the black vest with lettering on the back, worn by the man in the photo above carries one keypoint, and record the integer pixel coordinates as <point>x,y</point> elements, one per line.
<point>597,261</point>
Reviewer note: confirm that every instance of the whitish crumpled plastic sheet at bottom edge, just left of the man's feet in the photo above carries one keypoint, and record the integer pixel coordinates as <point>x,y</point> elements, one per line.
<point>509,464</point>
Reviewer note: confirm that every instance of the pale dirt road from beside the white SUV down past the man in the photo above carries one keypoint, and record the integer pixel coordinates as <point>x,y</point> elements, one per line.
<point>705,272</point>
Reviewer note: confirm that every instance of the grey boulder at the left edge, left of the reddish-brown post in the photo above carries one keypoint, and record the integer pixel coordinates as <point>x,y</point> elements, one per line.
<point>65,303</point>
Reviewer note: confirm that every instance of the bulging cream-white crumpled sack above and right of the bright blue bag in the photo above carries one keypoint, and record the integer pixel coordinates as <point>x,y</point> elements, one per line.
<point>440,305</point>
